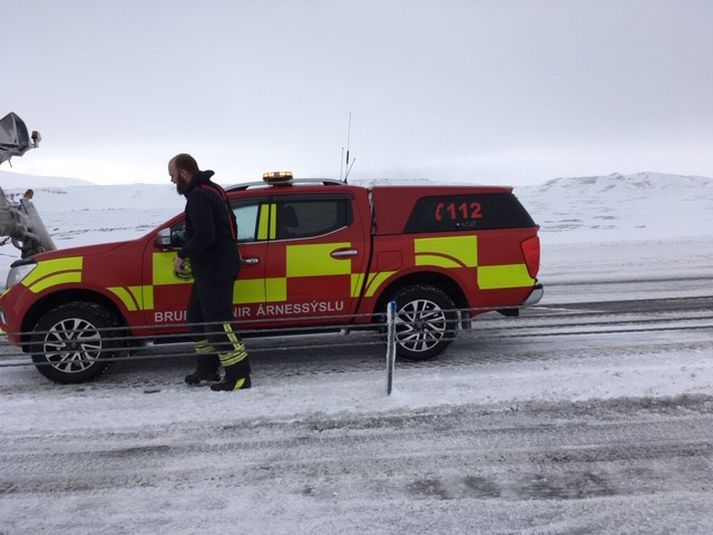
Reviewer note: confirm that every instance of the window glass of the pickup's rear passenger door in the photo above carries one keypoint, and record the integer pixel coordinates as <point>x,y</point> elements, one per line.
<point>303,217</point>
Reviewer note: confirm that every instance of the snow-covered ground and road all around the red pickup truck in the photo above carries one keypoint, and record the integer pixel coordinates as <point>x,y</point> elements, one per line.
<point>508,432</point>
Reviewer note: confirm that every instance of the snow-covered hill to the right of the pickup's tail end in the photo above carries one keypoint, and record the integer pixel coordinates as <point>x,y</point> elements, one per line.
<point>621,207</point>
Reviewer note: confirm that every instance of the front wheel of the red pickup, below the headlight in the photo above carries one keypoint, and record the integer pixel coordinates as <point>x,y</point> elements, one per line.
<point>69,343</point>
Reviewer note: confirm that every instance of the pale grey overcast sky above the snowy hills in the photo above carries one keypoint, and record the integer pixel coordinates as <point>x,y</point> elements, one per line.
<point>488,91</point>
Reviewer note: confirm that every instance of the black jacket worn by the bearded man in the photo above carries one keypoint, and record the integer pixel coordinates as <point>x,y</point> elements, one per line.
<point>209,239</point>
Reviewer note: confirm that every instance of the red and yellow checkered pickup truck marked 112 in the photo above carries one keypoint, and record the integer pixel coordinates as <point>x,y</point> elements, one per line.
<point>316,254</point>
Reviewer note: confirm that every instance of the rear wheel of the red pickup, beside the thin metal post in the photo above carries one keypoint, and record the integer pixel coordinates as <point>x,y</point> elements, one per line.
<point>426,322</point>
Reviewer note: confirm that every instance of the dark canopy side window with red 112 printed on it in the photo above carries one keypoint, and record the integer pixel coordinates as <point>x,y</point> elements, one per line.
<point>468,212</point>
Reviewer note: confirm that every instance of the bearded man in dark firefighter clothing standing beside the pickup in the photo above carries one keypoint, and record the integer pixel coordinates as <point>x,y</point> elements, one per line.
<point>210,253</point>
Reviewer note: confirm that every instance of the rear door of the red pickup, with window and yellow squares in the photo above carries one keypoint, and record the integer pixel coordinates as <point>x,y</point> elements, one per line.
<point>316,257</point>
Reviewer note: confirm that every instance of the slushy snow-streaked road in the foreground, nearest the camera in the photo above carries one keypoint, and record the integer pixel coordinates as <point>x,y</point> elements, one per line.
<point>618,466</point>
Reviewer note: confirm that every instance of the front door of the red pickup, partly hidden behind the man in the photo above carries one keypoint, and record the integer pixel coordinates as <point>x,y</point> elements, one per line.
<point>170,293</point>
